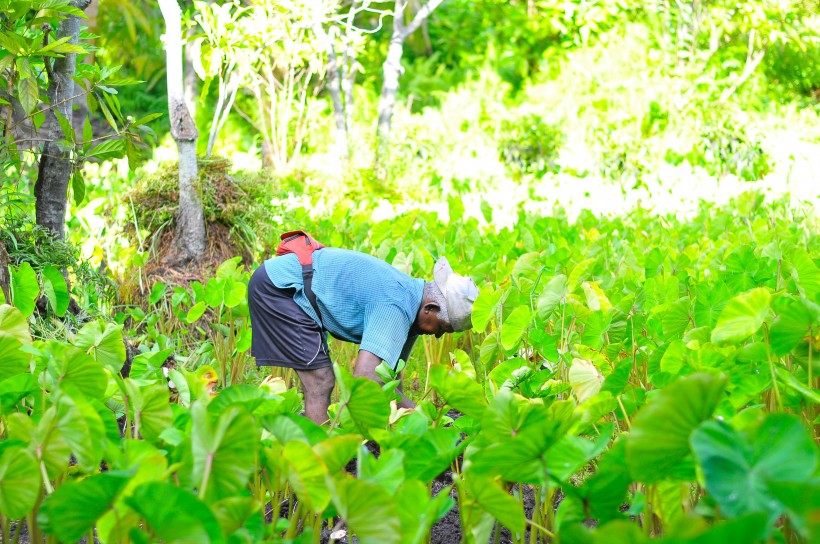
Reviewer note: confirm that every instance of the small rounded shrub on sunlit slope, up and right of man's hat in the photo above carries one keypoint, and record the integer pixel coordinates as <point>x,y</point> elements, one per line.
<point>528,144</point>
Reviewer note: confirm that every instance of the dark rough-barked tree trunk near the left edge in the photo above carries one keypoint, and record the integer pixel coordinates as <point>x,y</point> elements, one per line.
<point>51,187</point>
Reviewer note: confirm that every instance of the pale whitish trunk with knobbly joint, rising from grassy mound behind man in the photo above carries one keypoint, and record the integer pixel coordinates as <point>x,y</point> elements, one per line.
<point>189,237</point>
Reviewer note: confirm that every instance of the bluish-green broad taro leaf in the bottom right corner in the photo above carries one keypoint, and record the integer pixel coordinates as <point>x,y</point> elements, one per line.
<point>738,469</point>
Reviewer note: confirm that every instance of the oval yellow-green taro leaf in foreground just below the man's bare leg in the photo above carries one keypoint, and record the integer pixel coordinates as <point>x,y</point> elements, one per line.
<point>306,473</point>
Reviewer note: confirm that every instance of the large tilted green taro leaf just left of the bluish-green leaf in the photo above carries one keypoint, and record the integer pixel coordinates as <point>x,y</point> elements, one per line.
<point>659,438</point>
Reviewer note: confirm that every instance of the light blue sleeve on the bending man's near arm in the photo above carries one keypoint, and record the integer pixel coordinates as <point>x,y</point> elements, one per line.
<point>385,333</point>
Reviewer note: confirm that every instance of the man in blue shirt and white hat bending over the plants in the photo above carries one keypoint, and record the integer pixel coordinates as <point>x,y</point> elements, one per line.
<point>360,299</point>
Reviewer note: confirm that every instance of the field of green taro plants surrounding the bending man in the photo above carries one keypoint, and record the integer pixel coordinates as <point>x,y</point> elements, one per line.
<point>626,379</point>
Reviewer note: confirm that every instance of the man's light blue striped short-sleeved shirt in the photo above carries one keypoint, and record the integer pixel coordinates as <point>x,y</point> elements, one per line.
<point>362,299</point>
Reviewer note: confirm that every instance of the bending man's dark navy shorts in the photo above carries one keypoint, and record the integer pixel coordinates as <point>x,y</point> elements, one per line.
<point>282,333</point>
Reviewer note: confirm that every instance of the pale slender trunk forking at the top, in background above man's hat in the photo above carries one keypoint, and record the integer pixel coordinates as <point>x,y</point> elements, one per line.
<point>392,70</point>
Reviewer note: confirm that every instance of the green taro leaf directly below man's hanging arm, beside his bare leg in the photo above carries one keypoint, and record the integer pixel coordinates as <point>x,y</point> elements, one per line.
<point>362,401</point>
